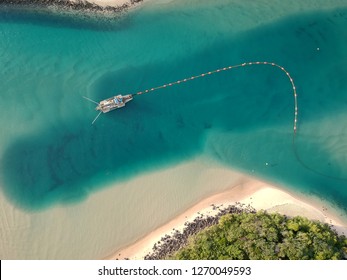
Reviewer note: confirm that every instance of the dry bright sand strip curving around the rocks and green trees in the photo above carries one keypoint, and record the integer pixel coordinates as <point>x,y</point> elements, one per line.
<point>256,194</point>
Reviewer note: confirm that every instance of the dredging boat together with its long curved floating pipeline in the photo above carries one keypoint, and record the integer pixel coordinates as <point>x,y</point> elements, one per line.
<point>119,101</point>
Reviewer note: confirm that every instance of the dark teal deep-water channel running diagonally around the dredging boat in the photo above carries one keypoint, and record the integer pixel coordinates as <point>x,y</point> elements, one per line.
<point>58,165</point>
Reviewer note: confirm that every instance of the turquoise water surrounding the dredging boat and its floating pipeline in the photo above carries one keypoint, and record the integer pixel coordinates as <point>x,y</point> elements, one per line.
<point>51,154</point>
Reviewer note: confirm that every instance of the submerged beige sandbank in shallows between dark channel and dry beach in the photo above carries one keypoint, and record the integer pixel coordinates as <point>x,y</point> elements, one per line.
<point>111,218</point>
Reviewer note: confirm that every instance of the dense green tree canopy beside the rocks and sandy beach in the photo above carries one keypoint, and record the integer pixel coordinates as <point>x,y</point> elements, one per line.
<point>254,236</point>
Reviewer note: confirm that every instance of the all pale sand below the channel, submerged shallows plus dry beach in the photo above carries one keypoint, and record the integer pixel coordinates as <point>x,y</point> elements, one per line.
<point>123,213</point>
